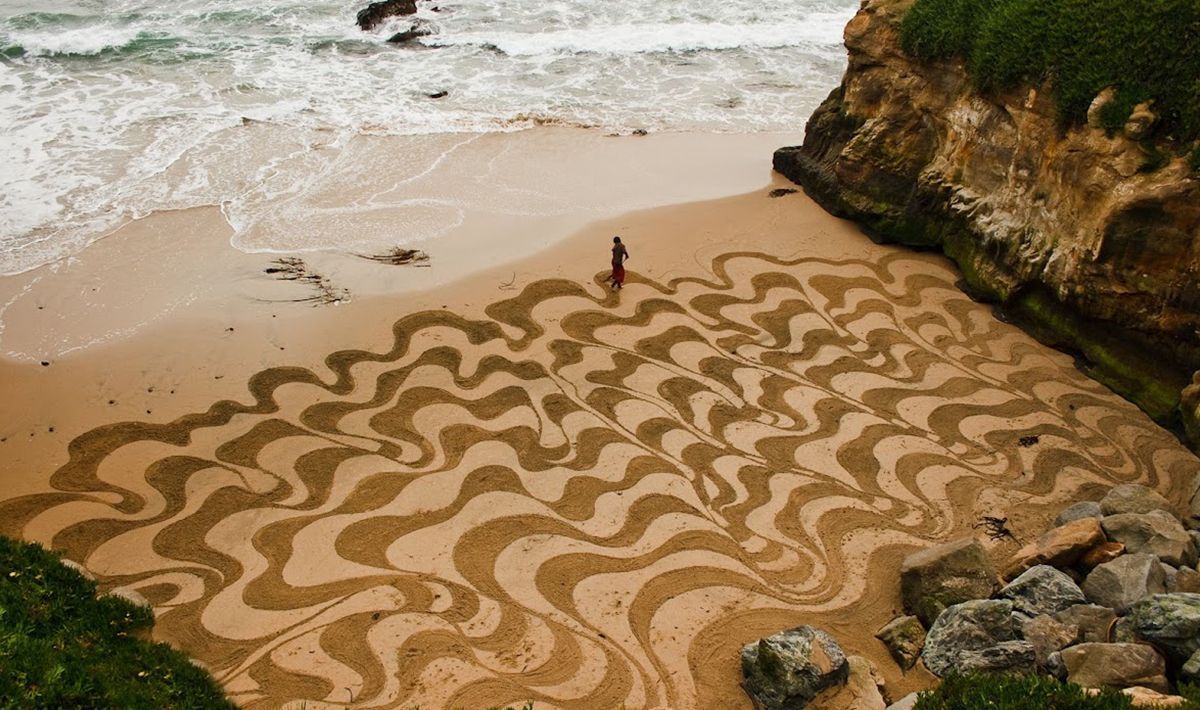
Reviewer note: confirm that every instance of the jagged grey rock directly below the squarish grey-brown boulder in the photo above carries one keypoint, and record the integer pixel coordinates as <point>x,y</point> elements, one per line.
<point>967,637</point>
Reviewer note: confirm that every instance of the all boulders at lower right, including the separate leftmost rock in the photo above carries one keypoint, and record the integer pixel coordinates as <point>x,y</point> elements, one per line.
<point>1109,598</point>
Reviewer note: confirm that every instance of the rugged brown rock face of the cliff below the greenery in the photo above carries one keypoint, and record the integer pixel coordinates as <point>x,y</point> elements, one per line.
<point>1084,238</point>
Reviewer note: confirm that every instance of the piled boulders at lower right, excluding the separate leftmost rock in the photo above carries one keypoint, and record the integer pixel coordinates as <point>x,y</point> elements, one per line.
<point>1107,599</point>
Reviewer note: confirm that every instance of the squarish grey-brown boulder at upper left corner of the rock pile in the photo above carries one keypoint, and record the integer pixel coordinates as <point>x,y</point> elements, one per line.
<point>939,577</point>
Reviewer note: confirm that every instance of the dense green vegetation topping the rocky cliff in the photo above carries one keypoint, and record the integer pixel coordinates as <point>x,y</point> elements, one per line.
<point>1148,50</point>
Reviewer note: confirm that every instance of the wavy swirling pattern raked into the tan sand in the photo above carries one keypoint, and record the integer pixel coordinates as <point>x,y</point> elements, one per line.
<point>586,500</point>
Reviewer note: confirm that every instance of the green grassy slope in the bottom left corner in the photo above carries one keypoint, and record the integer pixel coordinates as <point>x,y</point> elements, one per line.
<point>62,647</point>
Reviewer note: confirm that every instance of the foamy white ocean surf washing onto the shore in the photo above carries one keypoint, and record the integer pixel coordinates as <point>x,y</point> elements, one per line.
<point>112,110</point>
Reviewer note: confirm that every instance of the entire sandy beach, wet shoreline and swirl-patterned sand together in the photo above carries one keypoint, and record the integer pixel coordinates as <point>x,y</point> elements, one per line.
<point>491,479</point>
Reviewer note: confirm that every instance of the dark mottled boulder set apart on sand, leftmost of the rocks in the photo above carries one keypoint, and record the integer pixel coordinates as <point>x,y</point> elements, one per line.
<point>787,671</point>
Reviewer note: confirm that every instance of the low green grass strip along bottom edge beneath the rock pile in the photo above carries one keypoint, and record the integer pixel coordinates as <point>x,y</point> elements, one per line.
<point>1023,693</point>
